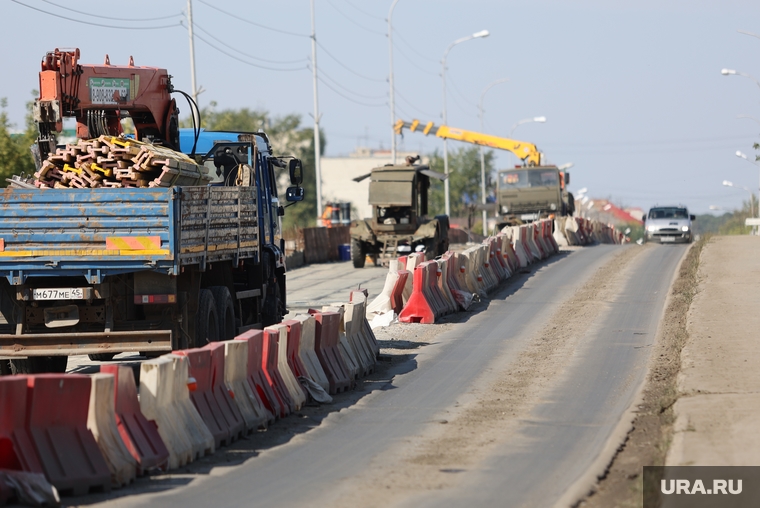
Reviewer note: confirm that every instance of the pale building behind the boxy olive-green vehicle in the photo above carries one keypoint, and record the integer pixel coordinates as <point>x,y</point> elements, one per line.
<point>338,174</point>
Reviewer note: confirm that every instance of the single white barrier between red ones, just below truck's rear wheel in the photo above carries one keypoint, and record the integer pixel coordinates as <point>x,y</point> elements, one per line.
<point>254,413</point>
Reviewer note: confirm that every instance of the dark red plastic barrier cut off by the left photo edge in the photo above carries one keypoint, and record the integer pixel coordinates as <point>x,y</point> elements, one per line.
<point>16,449</point>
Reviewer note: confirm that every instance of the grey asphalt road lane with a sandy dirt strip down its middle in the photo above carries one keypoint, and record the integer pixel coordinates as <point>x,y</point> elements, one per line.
<point>511,406</point>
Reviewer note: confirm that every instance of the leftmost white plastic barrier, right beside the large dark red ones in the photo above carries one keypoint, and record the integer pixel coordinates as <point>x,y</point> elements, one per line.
<point>101,420</point>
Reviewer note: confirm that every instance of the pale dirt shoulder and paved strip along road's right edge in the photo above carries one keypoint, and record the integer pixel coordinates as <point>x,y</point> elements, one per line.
<point>701,401</point>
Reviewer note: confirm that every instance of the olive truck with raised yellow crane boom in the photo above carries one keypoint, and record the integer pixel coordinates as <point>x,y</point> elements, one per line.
<point>526,193</point>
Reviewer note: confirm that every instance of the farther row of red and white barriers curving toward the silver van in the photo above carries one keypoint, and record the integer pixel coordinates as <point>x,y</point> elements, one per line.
<point>421,291</point>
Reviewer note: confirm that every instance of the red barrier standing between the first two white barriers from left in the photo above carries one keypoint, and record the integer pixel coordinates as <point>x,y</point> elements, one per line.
<point>139,435</point>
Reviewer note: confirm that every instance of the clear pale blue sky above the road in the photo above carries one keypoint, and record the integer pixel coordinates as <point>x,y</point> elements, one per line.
<point>632,91</point>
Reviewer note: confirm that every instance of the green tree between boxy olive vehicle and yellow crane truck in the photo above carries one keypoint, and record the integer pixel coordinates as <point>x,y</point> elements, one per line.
<point>464,181</point>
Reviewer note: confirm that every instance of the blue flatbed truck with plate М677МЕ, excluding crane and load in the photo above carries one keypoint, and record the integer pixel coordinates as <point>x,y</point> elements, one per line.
<point>104,271</point>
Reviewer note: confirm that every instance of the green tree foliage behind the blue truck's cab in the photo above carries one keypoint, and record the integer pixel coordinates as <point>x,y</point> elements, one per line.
<point>287,137</point>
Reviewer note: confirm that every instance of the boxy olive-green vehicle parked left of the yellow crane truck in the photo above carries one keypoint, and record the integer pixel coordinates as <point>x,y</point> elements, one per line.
<point>399,225</point>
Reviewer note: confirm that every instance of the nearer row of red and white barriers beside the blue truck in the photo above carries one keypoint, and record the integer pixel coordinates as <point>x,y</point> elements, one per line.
<point>76,433</point>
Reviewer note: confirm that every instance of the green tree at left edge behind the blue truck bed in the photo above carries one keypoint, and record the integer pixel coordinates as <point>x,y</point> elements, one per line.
<point>15,154</point>
